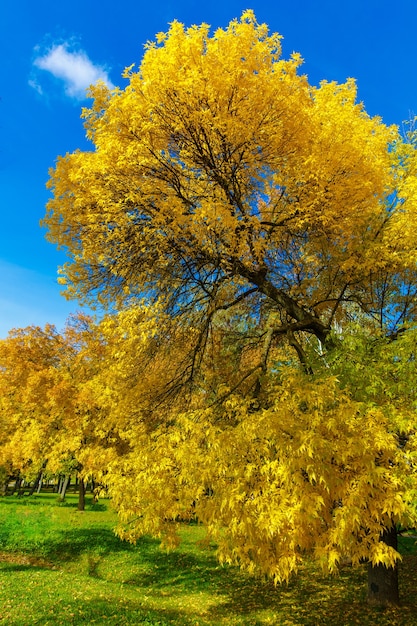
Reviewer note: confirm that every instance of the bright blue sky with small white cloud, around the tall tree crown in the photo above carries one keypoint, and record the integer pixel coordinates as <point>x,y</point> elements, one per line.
<point>50,50</point>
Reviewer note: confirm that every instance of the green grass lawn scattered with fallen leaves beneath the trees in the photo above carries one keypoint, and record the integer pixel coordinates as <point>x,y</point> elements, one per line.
<point>60,566</point>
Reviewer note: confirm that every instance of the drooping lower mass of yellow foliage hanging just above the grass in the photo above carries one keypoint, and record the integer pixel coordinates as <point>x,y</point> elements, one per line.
<point>317,473</point>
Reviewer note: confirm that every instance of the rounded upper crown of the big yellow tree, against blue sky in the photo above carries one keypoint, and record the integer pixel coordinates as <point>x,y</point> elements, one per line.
<point>220,163</point>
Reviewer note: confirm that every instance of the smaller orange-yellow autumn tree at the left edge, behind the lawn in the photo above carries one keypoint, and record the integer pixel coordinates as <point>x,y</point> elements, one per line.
<point>48,409</point>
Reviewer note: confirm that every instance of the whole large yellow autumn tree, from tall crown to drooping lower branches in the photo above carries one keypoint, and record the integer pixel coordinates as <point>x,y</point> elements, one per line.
<point>262,216</point>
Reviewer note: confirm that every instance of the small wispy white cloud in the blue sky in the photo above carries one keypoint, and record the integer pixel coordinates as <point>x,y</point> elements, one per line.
<point>75,69</point>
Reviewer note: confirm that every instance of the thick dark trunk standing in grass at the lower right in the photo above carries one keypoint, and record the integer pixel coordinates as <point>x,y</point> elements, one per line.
<point>383,581</point>
